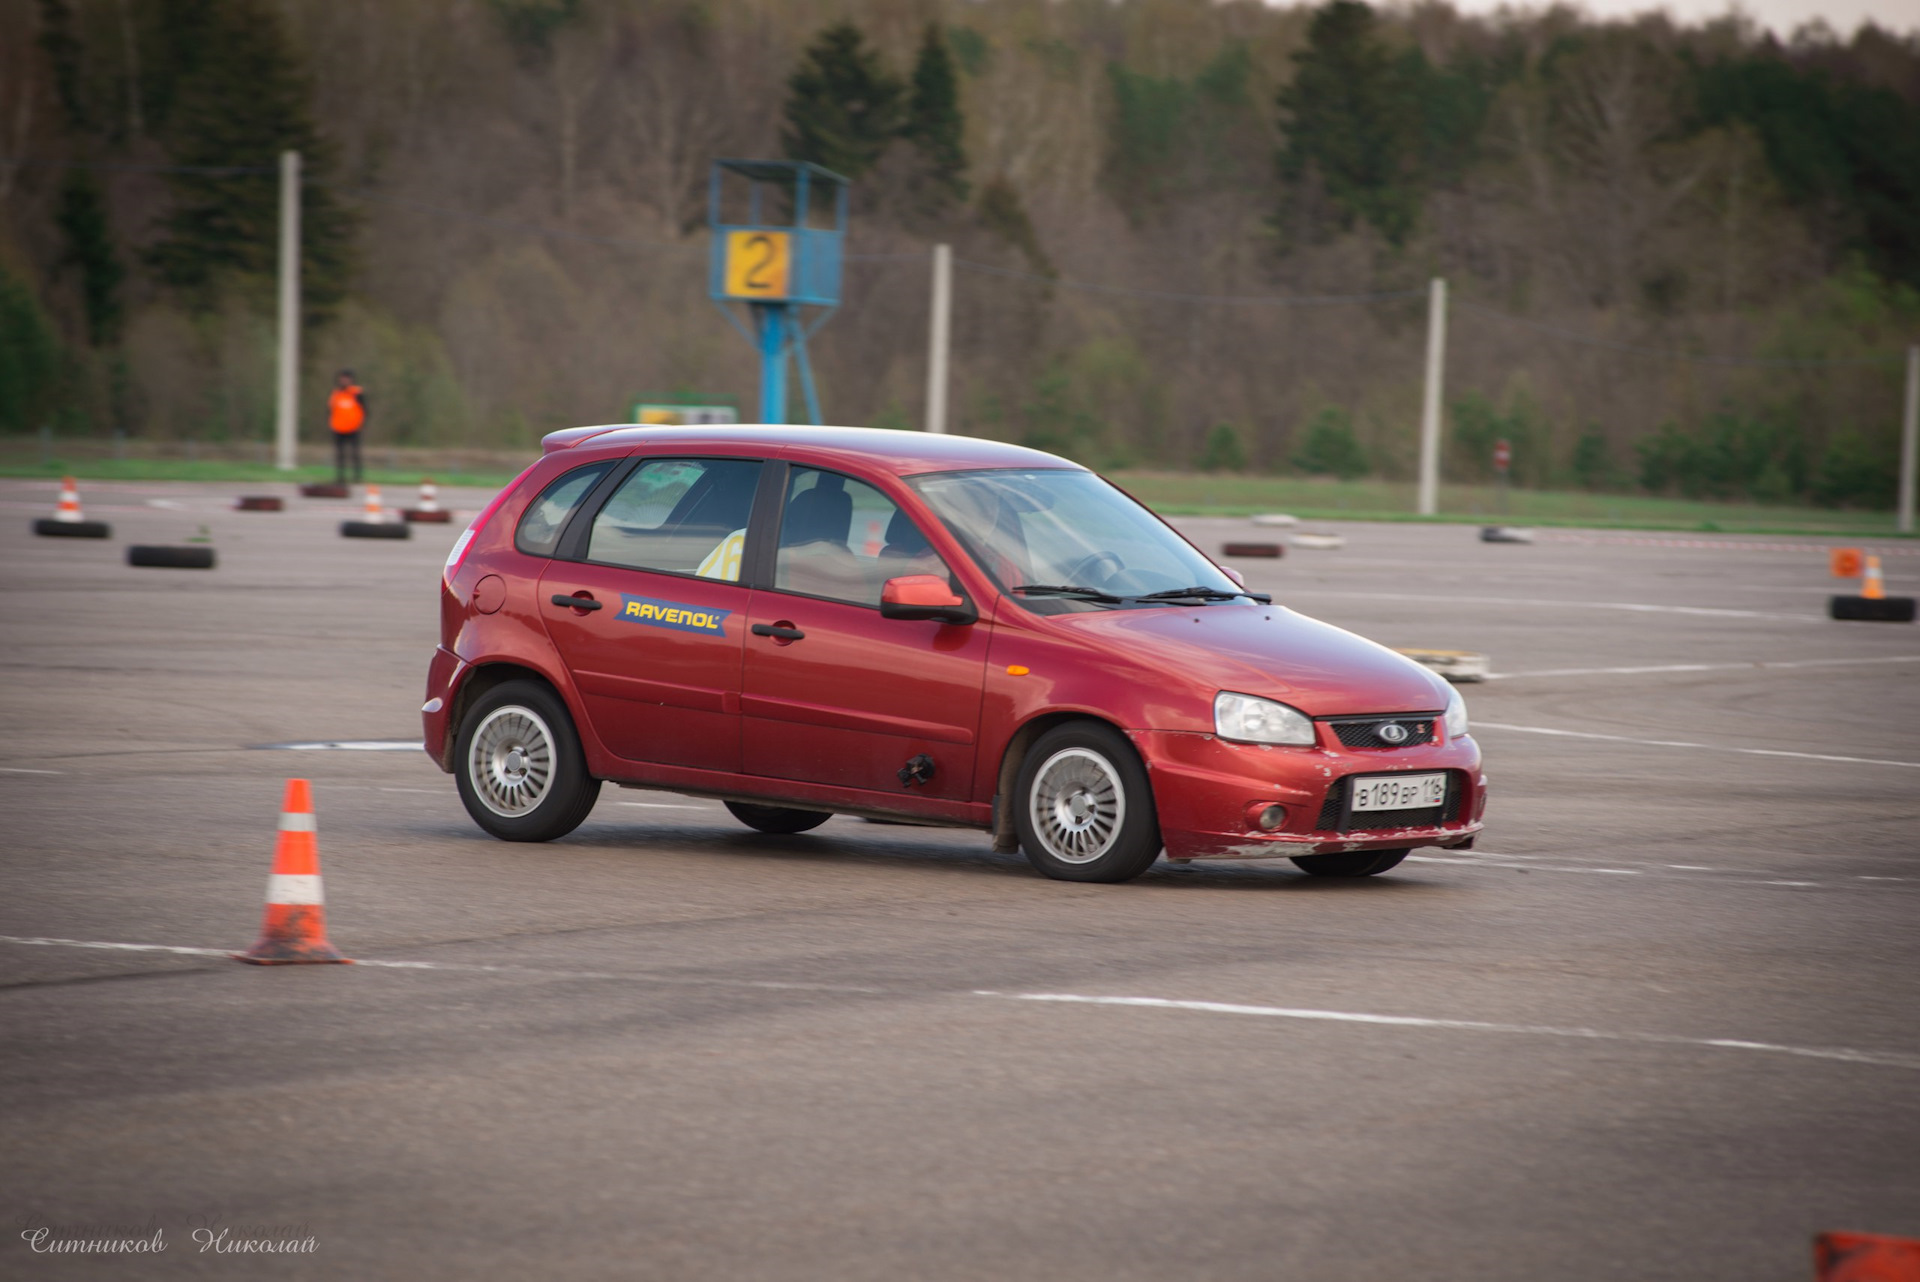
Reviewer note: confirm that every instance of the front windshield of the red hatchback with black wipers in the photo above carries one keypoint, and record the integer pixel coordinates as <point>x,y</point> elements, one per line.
<point>1067,540</point>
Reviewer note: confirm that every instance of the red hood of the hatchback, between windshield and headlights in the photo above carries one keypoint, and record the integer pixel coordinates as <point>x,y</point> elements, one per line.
<point>1268,652</point>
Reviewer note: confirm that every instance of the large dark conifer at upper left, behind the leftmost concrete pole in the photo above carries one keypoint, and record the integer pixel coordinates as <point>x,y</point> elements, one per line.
<point>239,108</point>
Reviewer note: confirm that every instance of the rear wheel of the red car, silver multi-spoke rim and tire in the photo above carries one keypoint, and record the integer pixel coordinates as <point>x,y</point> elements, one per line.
<point>519,765</point>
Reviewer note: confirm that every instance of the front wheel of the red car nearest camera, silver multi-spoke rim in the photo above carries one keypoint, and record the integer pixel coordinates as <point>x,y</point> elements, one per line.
<point>1084,807</point>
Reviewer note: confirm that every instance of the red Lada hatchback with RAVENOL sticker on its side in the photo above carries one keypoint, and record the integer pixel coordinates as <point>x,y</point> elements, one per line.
<point>844,621</point>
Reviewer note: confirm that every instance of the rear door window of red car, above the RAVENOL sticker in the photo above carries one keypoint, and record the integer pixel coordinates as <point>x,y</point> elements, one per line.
<point>679,515</point>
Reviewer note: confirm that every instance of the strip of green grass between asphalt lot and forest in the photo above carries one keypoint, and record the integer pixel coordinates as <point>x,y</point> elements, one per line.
<point>1186,494</point>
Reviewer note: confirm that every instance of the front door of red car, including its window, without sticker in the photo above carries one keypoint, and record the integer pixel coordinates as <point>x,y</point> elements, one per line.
<point>832,692</point>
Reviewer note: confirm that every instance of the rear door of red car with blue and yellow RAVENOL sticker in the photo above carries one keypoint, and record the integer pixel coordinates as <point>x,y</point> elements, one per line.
<point>648,609</point>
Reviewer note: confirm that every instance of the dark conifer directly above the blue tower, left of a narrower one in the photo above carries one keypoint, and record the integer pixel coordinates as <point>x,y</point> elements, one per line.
<point>844,107</point>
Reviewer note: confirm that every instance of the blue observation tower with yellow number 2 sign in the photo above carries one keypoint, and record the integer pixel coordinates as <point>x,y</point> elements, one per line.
<point>777,247</point>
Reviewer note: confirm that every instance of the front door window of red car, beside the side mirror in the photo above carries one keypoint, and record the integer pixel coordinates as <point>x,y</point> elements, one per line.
<point>844,540</point>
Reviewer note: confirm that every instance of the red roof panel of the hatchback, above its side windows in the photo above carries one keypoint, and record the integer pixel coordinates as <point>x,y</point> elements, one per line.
<point>888,450</point>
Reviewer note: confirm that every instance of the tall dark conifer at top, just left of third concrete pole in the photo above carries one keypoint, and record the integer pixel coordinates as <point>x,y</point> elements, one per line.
<point>1353,120</point>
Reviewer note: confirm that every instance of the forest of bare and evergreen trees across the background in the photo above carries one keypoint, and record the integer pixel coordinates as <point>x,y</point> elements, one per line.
<point>1189,233</point>
